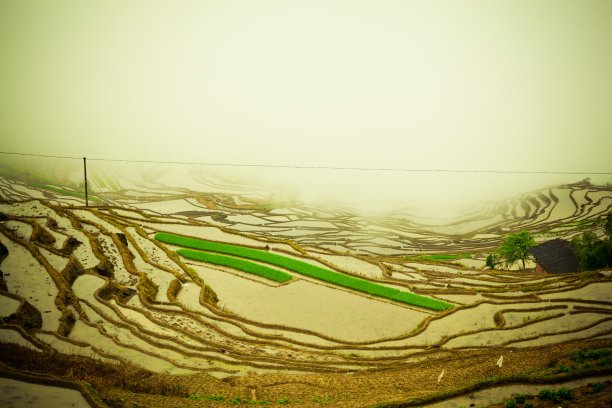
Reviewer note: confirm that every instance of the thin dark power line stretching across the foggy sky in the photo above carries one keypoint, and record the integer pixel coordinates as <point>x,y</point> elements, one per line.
<point>280,166</point>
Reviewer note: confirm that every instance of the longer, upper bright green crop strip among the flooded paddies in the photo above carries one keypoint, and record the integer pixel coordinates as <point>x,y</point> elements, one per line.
<point>307,269</point>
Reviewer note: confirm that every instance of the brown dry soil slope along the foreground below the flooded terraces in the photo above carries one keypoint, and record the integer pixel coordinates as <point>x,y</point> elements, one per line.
<point>124,385</point>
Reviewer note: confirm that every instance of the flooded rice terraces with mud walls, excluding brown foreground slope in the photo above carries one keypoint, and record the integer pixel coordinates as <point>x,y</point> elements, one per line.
<point>104,287</point>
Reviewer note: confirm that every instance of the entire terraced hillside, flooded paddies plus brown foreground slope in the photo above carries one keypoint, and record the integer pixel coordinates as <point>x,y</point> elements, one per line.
<point>95,282</point>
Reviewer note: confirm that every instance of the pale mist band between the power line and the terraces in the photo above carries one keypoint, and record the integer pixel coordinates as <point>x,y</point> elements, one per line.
<point>427,195</point>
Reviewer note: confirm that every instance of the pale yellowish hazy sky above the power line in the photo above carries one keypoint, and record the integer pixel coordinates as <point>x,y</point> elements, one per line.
<point>504,85</point>
